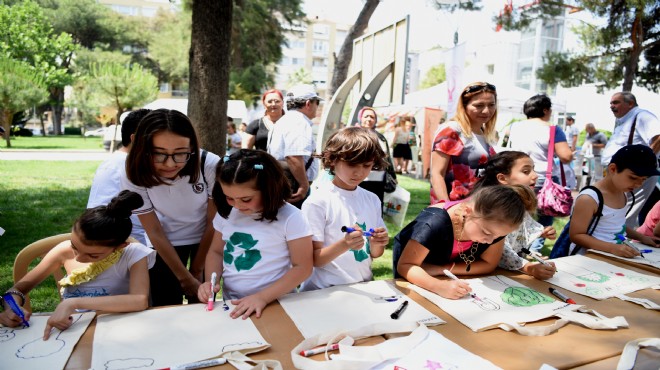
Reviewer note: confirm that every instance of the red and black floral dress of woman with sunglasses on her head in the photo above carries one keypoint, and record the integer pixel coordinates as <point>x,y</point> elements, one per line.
<point>467,156</point>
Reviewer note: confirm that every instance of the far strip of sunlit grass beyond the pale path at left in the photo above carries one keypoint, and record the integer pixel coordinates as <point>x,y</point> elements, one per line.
<point>73,142</point>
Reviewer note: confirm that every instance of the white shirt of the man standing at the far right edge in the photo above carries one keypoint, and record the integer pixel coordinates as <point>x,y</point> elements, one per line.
<point>647,127</point>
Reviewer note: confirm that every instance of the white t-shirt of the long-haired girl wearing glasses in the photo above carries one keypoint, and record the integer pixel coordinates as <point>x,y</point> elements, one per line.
<point>180,206</point>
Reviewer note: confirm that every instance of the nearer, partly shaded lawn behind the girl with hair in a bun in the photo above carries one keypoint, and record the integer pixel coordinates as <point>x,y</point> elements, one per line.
<point>39,199</point>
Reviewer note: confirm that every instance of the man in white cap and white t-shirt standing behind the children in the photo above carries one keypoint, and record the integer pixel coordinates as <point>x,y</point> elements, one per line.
<point>292,141</point>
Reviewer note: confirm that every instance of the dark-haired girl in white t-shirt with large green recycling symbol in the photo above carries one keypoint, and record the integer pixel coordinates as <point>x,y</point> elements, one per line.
<point>262,246</point>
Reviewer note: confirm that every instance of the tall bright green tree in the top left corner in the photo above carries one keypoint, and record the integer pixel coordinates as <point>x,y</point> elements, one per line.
<point>28,36</point>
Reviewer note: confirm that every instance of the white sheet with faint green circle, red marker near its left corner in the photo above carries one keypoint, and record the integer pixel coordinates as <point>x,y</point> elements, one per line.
<point>598,279</point>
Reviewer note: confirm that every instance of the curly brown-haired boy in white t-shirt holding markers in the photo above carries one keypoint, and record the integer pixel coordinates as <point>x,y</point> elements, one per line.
<point>345,257</point>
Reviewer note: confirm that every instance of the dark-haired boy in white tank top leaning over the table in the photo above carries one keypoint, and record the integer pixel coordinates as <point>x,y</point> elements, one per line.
<point>630,166</point>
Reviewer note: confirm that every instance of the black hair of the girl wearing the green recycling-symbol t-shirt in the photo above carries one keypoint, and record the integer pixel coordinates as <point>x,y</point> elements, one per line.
<point>244,166</point>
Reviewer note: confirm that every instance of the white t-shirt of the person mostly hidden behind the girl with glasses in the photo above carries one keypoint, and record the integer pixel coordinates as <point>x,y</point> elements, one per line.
<point>107,184</point>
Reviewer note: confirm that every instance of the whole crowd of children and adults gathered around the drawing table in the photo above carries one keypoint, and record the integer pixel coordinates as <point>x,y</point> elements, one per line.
<point>164,215</point>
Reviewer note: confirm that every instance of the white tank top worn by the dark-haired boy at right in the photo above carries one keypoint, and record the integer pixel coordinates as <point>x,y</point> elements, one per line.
<point>610,226</point>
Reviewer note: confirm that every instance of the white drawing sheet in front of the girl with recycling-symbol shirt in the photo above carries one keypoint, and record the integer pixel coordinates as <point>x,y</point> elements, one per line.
<point>160,338</point>
